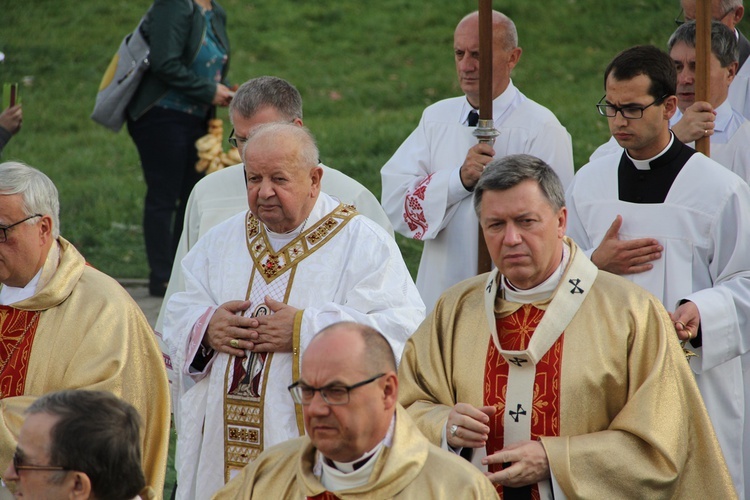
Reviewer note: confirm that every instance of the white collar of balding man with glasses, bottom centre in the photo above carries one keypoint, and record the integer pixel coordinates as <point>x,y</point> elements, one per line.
<point>337,476</point>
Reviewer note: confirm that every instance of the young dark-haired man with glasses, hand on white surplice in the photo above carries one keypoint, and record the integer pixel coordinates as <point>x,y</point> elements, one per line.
<point>681,230</point>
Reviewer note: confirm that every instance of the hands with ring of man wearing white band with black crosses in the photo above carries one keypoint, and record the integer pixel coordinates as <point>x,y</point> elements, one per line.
<point>528,459</point>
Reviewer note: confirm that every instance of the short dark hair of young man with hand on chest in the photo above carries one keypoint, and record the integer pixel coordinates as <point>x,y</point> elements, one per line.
<point>649,61</point>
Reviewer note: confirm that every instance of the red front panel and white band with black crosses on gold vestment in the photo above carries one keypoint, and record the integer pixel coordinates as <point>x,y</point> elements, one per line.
<point>524,360</point>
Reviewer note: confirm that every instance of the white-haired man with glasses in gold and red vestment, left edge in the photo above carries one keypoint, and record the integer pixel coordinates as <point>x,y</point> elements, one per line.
<point>66,325</point>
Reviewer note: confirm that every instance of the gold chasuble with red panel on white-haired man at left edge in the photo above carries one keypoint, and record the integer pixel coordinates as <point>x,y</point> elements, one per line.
<point>82,330</point>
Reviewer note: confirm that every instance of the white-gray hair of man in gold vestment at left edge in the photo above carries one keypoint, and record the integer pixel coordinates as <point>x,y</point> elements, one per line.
<point>38,193</point>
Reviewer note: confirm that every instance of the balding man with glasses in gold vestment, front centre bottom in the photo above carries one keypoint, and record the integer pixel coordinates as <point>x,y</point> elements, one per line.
<point>360,443</point>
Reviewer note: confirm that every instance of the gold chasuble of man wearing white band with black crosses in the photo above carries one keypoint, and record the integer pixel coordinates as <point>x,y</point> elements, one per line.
<point>632,423</point>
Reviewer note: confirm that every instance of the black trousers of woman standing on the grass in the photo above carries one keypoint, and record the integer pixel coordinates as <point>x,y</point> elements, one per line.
<point>166,145</point>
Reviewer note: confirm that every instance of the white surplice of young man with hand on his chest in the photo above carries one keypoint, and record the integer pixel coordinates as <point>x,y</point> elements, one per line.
<point>704,226</point>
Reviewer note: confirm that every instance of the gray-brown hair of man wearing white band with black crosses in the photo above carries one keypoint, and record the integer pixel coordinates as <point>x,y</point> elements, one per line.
<point>509,171</point>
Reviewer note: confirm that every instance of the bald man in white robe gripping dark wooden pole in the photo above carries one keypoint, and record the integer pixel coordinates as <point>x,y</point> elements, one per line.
<point>428,182</point>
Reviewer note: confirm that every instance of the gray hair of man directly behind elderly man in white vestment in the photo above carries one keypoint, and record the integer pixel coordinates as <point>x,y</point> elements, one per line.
<point>264,91</point>
